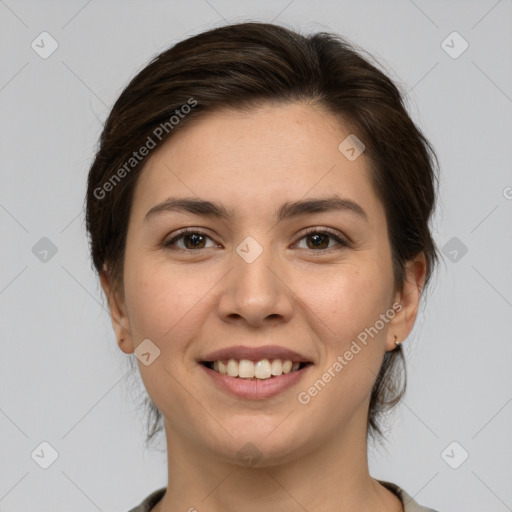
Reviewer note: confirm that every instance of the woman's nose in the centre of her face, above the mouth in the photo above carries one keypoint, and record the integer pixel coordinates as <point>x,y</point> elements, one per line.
<point>256,293</point>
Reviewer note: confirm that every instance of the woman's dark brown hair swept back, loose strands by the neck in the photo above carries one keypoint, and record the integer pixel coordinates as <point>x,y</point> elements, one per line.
<point>251,63</point>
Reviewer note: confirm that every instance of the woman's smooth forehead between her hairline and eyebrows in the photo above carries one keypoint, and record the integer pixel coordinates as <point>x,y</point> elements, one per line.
<point>254,158</point>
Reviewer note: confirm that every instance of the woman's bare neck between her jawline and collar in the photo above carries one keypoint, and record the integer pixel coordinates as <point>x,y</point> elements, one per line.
<point>330,476</point>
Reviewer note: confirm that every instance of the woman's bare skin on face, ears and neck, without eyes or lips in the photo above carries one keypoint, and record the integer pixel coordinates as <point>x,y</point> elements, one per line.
<point>314,301</point>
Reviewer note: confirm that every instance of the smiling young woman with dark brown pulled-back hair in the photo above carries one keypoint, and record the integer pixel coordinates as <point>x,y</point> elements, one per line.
<point>258,213</point>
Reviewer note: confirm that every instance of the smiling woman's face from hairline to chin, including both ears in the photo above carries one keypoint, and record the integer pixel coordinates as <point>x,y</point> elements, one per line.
<point>257,280</point>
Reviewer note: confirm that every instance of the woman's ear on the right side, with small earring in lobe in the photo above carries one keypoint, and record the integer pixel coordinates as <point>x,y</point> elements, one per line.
<point>407,301</point>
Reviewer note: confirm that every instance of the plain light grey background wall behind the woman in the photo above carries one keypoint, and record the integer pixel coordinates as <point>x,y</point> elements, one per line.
<point>62,375</point>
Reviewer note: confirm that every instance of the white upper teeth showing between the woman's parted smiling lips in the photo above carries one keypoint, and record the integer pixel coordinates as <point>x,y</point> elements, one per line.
<point>262,369</point>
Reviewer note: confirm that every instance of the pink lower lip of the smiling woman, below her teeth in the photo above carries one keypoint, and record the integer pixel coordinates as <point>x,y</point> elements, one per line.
<point>255,389</point>
